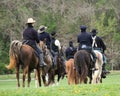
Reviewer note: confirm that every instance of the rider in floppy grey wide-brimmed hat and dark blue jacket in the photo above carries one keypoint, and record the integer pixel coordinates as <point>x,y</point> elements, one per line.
<point>43,35</point>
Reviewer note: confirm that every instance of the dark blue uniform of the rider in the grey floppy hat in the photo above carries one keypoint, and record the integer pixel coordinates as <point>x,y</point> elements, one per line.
<point>43,36</point>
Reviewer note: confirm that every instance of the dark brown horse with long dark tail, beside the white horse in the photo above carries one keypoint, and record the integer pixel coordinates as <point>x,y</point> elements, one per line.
<point>83,66</point>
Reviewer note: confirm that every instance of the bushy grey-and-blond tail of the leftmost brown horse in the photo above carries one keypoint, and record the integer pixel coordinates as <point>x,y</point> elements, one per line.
<point>14,53</point>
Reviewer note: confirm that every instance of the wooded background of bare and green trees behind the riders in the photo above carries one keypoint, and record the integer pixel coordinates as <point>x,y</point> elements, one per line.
<point>64,17</point>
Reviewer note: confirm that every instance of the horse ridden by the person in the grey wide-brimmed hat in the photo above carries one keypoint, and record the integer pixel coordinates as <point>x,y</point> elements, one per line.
<point>47,71</point>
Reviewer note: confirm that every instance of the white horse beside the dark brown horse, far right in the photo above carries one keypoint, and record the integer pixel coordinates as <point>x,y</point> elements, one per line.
<point>96,75</point>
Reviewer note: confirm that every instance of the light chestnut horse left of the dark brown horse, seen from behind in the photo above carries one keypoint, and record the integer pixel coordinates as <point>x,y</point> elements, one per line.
<point>71,72</point>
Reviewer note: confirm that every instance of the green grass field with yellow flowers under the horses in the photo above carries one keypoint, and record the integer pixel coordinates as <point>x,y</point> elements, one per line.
<point>109,87</point>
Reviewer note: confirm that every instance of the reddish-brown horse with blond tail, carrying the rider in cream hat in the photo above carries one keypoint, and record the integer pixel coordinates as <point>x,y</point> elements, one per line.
<point>23,56</point>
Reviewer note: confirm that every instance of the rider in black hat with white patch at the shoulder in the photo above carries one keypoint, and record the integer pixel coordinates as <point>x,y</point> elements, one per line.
<point>55,47</point>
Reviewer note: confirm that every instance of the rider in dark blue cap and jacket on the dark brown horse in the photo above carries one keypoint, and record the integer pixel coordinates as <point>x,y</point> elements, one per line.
<point>85,42</point>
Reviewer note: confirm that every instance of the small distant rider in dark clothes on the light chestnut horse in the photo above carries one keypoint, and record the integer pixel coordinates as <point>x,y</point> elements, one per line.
<point>70,51</point>
